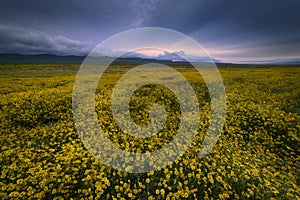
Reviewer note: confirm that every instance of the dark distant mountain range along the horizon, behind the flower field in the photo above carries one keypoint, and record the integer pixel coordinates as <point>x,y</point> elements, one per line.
<point>12,58</point>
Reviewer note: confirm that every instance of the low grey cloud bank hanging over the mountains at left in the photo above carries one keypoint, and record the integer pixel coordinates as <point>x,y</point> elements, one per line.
<point>28,41</point>
